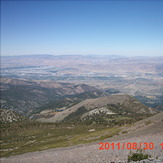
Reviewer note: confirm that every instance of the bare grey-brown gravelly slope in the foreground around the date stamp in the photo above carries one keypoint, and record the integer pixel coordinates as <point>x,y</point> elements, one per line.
<point>148,130</point>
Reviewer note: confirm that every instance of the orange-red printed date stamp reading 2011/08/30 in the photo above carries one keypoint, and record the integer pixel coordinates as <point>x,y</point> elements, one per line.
<point>129,146</point>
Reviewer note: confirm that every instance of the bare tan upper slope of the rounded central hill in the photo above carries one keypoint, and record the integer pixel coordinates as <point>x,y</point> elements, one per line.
<point>125,101</point>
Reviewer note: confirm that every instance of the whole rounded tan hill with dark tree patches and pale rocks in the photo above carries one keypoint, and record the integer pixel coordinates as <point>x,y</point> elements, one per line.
<point>108,109</point>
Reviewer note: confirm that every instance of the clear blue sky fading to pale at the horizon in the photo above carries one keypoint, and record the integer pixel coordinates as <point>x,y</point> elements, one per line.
<point>101,27</point>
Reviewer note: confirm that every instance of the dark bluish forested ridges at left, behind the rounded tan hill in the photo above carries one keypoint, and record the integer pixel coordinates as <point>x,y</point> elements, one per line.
<point>24,96</point>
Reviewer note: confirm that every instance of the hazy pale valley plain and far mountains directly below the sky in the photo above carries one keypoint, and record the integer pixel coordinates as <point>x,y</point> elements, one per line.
<point>137,76</point>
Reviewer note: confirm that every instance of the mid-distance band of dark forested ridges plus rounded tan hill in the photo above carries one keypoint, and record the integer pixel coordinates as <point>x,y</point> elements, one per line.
<point>34,98</point>
